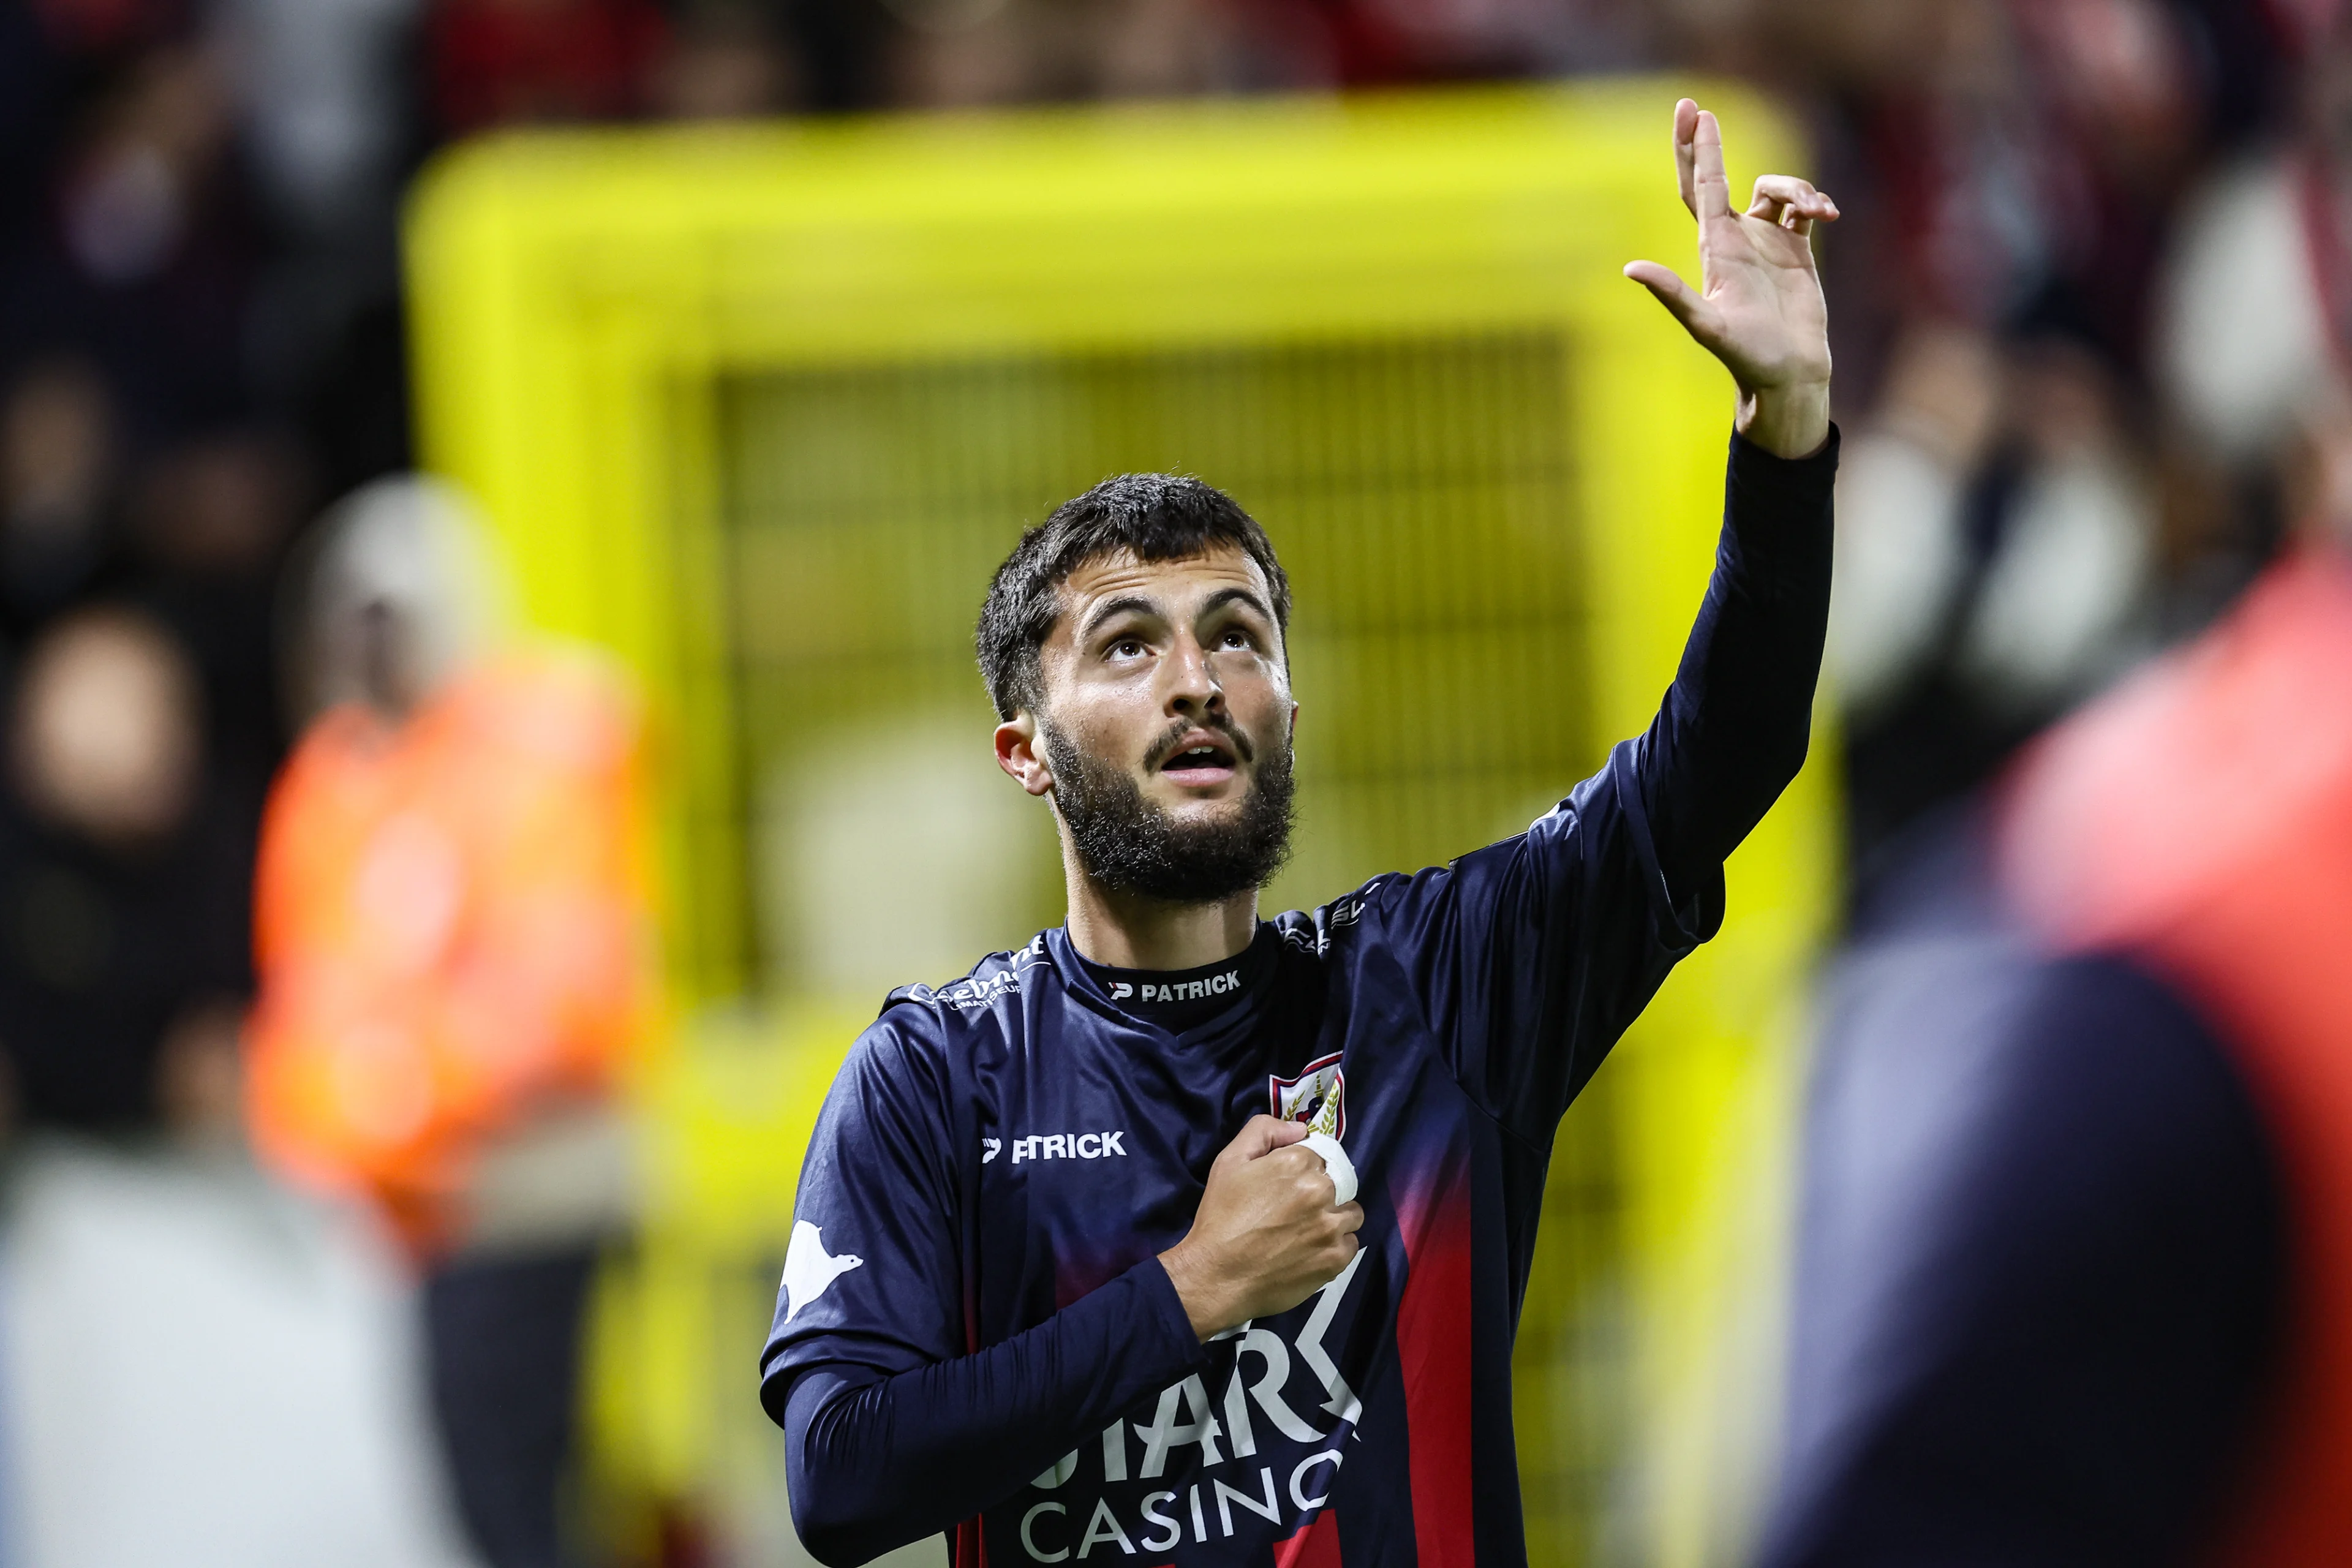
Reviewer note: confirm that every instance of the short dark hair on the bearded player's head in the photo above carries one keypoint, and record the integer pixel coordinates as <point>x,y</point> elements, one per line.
<point>1151,516</point>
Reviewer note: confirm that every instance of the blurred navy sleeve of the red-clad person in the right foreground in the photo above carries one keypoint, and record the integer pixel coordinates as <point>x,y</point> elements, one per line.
<point>2040,1254</point>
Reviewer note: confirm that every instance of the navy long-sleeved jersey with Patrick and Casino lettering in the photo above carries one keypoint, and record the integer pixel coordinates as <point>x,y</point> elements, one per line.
<point>975,1329</point>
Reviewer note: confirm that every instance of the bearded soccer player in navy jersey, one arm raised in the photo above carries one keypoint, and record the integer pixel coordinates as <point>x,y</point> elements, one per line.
<point>1064,1278</point>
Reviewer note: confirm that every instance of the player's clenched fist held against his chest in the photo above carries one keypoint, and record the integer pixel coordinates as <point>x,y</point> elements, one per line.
<point>1267,1235</point>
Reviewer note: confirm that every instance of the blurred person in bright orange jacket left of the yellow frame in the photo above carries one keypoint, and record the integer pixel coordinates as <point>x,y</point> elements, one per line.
<point>453,942</point>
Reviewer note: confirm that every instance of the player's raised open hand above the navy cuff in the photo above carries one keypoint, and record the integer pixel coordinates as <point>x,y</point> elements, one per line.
<point>1758,304</point>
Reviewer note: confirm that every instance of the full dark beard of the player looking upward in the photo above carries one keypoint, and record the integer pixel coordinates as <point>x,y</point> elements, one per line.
<point>1137,847</point>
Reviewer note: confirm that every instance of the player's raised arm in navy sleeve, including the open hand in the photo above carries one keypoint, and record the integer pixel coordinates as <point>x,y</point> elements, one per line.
<point>1532,956</point>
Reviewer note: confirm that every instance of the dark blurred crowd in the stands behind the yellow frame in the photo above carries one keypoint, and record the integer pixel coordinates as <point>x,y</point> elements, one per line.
<point>2090,290</point>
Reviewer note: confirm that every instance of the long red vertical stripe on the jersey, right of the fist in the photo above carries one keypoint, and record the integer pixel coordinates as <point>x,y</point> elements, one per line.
<point>1434,1351</point>
